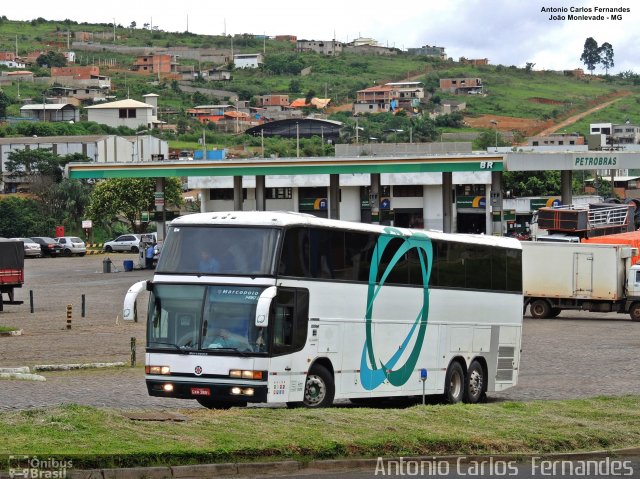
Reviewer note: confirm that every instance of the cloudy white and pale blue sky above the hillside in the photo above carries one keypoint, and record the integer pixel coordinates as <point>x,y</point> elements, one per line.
<point>508,32</point>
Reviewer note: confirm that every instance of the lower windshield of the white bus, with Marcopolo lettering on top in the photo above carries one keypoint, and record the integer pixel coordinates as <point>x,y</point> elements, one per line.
<point>205,318</point>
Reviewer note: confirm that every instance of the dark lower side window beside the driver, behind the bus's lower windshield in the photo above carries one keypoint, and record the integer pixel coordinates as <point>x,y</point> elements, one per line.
<point>291,318</point>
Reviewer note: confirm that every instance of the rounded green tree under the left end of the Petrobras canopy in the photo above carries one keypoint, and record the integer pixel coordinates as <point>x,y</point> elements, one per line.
<point>128,198</point>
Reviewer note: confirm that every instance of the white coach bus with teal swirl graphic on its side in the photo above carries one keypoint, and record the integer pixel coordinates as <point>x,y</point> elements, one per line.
<point>285,307</point>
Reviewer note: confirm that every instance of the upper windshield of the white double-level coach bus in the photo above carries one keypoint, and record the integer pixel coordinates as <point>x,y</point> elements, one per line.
<point>220,250</point>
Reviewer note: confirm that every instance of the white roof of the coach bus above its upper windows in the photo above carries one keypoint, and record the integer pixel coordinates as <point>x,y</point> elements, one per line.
<point>286,218</point>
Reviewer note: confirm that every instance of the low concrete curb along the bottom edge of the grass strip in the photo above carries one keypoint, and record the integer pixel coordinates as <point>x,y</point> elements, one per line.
<point>292,467</point>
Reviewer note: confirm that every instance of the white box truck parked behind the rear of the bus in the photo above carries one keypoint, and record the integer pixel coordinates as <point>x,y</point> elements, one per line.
<point>580,276</point>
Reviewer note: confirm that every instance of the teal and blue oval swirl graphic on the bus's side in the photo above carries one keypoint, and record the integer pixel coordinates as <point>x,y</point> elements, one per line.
<point>374,371</point>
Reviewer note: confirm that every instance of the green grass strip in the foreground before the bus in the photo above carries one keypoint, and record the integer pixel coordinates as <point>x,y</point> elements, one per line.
<point>103,437</point>
